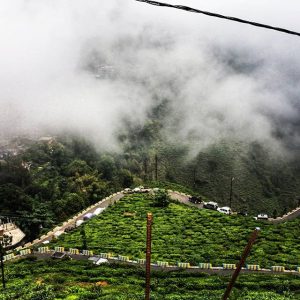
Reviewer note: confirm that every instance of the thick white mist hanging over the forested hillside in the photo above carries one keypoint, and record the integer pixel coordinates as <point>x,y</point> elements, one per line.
<point>84,66</point>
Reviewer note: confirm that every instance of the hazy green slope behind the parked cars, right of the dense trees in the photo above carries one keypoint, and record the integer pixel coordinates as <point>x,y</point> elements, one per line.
<point>263,182</point>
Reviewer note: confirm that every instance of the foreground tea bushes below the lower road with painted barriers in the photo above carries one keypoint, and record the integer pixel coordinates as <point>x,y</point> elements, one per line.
<point>72,280</point>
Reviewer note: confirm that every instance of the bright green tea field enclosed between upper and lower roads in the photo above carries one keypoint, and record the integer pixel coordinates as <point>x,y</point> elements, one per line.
<point>186,234</point>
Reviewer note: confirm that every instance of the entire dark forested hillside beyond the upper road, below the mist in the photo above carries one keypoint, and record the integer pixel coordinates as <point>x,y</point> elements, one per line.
<point>54,179</point>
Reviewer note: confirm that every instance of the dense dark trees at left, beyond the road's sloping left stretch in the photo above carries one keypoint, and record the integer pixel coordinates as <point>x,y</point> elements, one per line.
<point>52,180</point>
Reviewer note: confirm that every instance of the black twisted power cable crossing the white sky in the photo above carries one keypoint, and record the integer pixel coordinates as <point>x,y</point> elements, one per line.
<point>234,19</point>
